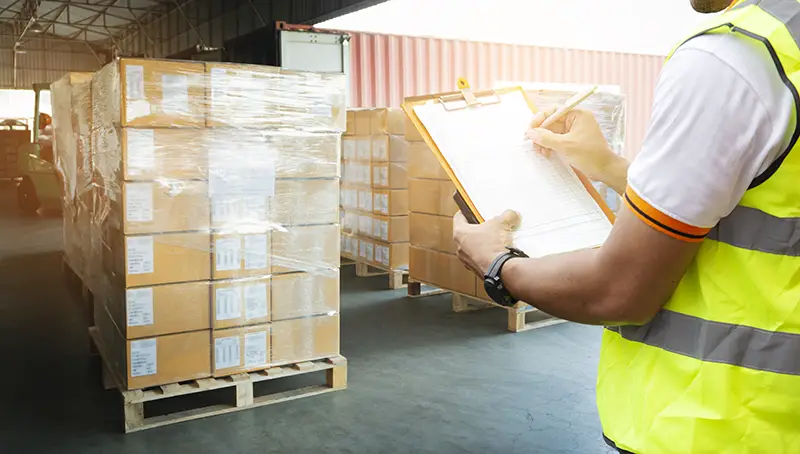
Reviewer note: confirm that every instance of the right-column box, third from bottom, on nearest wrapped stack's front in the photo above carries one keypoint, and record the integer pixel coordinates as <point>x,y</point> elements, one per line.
<point>312,249</point>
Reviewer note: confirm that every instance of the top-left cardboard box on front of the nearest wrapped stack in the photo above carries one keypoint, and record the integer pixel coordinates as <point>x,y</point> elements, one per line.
<point>159,93</point>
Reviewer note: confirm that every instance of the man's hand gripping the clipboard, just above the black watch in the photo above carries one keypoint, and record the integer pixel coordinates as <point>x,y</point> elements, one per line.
<point>479,244</point>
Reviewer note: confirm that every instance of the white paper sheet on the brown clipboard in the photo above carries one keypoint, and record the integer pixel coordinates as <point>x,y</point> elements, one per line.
<point>487,150</point>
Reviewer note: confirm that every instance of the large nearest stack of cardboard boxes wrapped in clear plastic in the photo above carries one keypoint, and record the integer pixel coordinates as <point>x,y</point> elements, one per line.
<point>215,221</point>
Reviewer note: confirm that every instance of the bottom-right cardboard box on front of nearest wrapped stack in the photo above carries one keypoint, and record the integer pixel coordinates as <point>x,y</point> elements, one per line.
<point>305,339</point>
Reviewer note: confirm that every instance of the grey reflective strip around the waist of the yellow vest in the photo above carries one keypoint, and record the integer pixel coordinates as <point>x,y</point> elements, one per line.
<point>716,342</point>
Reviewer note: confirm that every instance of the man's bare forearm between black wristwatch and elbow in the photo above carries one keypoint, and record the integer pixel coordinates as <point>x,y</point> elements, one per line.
<point>569,286</point>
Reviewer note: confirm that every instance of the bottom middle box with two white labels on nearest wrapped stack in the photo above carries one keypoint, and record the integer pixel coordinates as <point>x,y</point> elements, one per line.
<point>240,350</point>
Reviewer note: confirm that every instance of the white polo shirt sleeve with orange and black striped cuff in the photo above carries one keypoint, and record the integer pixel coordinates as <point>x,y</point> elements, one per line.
<point>721,116</point>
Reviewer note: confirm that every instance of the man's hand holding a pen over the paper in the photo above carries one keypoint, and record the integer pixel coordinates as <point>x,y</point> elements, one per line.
<point>579,139</point>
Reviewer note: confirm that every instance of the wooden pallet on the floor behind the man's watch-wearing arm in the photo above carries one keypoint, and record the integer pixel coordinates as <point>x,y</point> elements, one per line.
<point>521,317</point>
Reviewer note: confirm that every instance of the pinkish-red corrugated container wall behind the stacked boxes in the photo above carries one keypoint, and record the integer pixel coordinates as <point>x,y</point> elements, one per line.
<point>387,68</point>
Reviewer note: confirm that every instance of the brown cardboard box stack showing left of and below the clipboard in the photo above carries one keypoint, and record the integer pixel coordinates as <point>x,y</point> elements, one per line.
<point>433,253</point>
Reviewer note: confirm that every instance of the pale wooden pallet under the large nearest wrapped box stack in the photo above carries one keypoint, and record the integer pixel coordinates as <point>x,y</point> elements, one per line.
<point>240,386</point>
